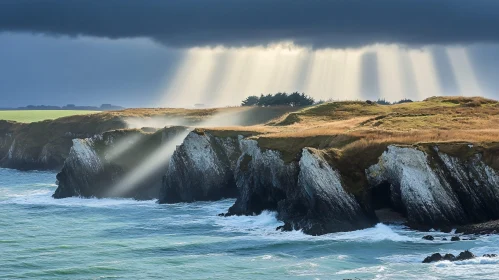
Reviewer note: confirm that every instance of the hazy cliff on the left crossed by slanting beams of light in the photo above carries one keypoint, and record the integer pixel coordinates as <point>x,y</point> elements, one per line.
<point>102,166</point>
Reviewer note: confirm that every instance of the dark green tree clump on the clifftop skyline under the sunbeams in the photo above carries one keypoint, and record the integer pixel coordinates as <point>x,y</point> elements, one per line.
<point>294,99</point>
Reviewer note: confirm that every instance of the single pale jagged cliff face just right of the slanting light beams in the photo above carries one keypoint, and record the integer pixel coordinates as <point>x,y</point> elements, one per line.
<point>201,169</point>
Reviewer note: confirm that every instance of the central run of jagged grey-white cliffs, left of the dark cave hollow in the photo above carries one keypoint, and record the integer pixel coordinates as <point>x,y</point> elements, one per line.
<point>307,194</point>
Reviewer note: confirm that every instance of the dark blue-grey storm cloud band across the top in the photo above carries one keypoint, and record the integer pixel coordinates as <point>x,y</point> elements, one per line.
<point>334,23</point>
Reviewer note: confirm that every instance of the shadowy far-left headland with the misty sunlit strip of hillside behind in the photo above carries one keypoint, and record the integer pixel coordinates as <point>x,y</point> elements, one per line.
<point>45,144</point>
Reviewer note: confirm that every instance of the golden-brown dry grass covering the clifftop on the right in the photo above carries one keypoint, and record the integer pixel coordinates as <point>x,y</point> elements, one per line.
<point>352,126</point>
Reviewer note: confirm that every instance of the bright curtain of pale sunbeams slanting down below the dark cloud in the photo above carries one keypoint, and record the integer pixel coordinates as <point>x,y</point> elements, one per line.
<point>221,76</point>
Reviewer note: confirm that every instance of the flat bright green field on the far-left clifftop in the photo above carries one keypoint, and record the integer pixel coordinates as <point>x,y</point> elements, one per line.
<point>28,116</point>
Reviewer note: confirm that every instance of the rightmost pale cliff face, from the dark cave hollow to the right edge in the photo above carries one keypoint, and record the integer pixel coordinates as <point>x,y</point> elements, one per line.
<point>435,189</point>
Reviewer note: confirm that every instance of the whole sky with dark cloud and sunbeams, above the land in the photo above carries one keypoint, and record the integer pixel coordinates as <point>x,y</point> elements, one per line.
<point>153,53</point>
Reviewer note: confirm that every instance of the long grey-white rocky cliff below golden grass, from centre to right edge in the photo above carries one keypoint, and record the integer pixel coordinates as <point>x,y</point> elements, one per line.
<point>432,185</point>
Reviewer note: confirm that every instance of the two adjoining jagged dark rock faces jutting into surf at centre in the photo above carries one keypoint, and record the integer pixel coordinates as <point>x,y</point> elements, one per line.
<point>308,193</point>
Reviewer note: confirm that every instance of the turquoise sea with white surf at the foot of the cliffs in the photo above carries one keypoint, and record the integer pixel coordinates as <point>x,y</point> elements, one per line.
<point>44,238</point>
